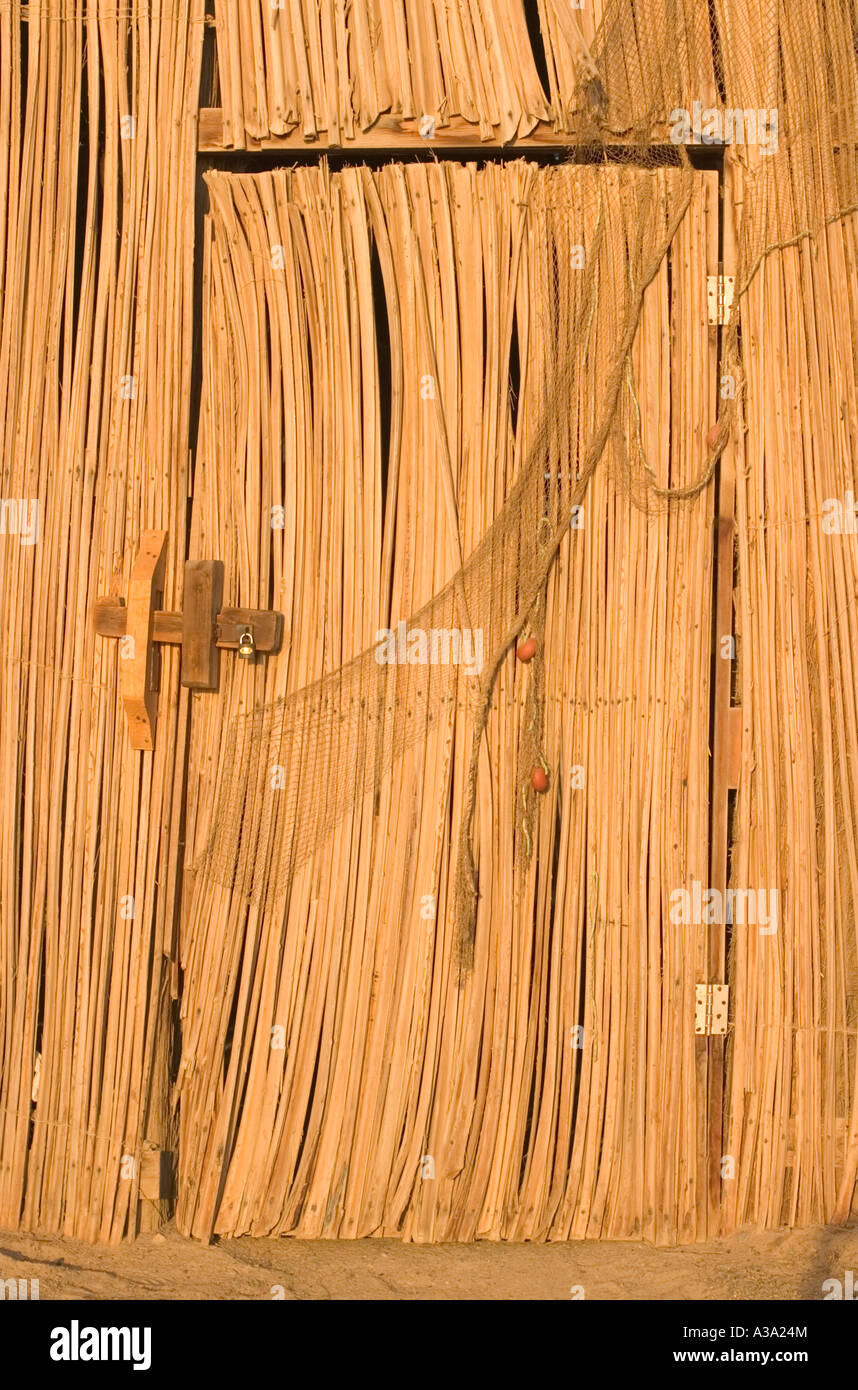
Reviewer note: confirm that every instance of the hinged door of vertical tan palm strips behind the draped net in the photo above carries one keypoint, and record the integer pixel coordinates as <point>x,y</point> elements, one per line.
<point>337,1078</point>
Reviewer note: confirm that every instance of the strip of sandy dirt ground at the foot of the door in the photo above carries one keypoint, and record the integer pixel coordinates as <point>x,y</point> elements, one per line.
<point>757,1267</point>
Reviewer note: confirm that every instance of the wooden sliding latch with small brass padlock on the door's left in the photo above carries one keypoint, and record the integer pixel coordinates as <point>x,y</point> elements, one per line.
<point>201,629</point>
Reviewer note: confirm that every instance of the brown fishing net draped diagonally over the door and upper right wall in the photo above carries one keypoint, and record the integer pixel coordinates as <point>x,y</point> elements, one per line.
<point>778,84</point>
